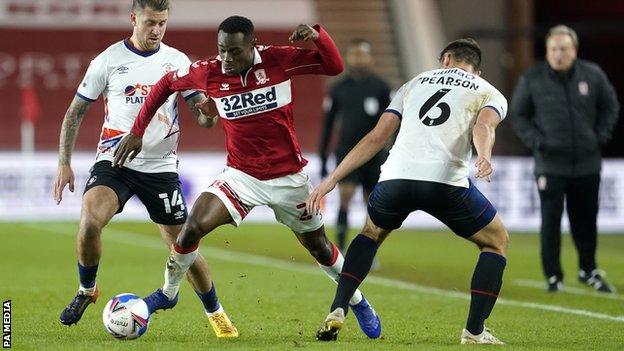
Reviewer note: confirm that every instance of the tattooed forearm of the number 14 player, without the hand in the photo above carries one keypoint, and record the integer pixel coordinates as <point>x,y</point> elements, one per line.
<point>69,129</point>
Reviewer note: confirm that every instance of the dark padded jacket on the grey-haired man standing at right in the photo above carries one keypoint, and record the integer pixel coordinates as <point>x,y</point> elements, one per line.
<point>565,119</point>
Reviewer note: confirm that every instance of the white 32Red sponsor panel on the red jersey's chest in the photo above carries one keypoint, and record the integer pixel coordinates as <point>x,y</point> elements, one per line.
<point>255,101</point>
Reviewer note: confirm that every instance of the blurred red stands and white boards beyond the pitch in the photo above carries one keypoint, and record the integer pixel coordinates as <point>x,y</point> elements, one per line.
<point>47,45</point>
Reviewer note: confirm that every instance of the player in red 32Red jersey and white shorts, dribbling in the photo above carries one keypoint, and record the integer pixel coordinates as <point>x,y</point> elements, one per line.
<point>249,85</point>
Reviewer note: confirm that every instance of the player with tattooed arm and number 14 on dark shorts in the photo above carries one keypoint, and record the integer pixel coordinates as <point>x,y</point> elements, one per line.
<point>124,74</point>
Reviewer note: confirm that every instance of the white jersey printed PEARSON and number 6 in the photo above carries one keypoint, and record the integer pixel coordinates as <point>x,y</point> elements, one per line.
<point>438,110</point>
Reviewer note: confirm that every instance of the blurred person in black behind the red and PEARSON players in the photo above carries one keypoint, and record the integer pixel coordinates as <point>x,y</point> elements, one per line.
<point>358,101</point>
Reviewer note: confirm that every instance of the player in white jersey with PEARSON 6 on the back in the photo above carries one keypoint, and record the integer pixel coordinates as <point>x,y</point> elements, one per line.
<point>440,114</point>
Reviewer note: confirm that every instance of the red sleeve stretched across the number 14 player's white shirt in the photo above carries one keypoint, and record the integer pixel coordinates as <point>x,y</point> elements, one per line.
<point>192,78</point>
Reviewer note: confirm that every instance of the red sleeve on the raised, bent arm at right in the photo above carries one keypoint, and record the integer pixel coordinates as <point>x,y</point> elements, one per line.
<point>325,59</point>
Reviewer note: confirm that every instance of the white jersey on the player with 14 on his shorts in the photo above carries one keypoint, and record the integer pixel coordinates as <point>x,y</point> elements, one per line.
<point>124,76</point>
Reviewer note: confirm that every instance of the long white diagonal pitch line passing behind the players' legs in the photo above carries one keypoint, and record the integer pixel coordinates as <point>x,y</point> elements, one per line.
<point>126,237</point>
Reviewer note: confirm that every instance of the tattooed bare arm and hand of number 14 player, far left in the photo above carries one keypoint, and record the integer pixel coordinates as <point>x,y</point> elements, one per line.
<point>69,133</point>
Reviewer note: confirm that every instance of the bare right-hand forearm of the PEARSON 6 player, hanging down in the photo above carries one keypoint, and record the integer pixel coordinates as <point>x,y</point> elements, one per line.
<point>483,136</point>
